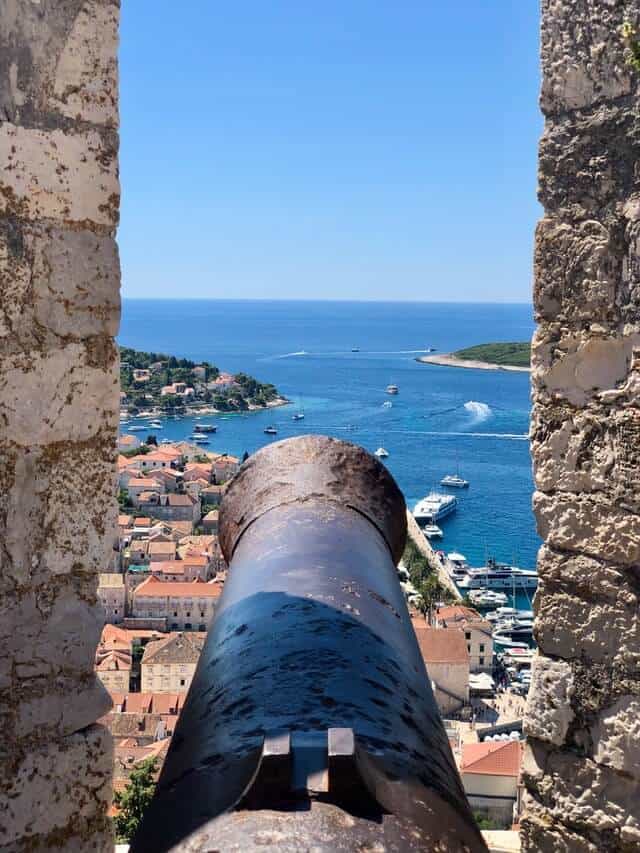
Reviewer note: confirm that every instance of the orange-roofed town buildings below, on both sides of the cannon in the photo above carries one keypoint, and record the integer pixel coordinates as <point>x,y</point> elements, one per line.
<point>160,595</point>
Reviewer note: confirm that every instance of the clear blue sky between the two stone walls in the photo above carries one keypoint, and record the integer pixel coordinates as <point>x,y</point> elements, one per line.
<point>339,149</point>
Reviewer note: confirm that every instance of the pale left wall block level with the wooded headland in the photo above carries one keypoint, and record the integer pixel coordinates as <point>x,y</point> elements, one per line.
<point>61,396</point>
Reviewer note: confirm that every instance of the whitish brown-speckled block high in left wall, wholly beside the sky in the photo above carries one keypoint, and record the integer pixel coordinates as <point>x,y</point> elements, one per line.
<point>68,177</point>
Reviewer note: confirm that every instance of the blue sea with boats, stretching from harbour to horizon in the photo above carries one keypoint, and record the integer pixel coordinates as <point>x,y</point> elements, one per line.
<point>443,418</point>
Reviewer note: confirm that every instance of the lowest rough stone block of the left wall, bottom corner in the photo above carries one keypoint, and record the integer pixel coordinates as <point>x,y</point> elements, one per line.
<point>62,784</point>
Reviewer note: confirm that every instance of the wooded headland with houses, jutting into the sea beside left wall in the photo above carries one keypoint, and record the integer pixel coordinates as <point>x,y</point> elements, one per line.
<point>156,382</point>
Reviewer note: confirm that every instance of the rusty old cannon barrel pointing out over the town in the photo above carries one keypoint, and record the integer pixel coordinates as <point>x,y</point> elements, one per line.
<point>310,723</point>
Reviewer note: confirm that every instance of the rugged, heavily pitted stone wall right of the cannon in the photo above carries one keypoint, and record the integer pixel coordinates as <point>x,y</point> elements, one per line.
<point>582,767</point>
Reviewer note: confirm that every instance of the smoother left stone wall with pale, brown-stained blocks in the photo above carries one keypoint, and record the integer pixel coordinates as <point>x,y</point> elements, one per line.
<point>59,278</point>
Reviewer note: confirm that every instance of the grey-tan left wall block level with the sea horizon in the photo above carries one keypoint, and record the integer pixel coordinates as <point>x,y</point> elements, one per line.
<point>58,281</point>
